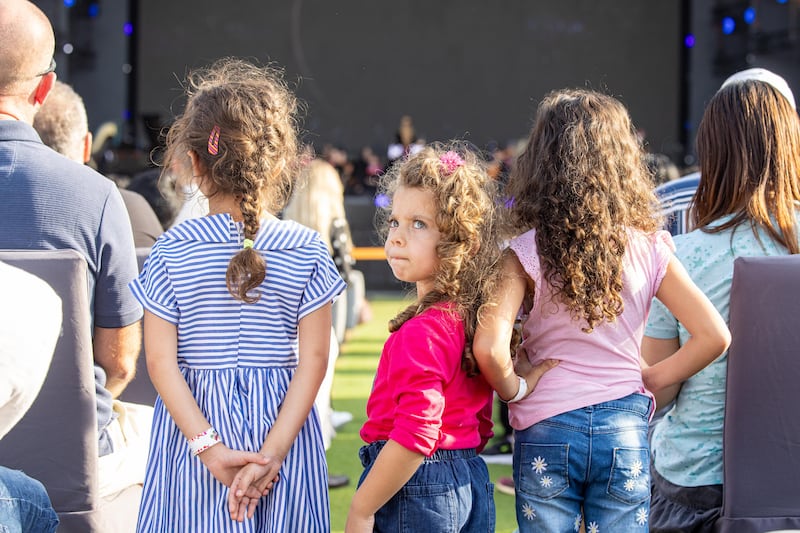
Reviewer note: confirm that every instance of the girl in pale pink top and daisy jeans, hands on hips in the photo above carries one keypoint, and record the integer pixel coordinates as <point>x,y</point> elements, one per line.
<point>585,269</point>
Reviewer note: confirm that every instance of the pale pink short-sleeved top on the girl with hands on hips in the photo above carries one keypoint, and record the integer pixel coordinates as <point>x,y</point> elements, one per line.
<point>595,367</point>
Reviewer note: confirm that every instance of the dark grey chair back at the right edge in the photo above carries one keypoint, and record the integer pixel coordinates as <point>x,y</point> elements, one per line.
<point>761,441</point>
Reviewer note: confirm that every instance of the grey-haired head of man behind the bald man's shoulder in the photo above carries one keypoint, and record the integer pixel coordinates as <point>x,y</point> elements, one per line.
<point>62,123</point>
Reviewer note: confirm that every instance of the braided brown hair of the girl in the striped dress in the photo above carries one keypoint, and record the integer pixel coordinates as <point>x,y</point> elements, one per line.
<point>258,148</point>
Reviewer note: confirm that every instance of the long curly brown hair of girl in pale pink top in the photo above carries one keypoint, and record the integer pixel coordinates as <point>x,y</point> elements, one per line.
<point>581,182</point>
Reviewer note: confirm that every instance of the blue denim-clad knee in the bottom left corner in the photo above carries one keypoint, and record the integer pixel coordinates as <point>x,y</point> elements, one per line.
<point>24,504</point>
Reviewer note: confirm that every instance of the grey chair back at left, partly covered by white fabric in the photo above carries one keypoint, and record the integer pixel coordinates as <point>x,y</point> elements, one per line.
<point>56,441</point>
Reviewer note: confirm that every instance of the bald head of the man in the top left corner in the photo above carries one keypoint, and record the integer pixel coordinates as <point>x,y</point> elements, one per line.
<point>27,44</point>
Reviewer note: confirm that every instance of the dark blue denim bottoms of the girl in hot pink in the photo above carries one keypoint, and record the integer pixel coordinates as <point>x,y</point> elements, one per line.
<point>450,492</point>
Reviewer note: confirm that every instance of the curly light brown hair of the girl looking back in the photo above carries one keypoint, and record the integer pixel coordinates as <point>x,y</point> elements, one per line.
<point>468,249</point>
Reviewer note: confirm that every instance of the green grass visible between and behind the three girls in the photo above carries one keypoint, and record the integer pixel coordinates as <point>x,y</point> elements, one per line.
<point>355,370</point>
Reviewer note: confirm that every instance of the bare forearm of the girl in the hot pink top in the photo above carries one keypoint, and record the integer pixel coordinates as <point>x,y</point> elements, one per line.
<point>393,467</point>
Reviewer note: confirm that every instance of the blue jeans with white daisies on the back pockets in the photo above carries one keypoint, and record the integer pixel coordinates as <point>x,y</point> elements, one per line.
<point>591,463</point>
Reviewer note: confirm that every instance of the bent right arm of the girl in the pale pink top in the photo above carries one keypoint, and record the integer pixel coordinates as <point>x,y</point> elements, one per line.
<point>709,335</point>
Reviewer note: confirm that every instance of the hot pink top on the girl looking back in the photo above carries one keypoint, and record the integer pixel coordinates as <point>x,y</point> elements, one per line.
<point>421,398</point>
